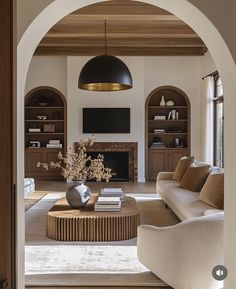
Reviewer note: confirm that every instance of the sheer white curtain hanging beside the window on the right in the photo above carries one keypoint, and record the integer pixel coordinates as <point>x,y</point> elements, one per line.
<point>207,119</point>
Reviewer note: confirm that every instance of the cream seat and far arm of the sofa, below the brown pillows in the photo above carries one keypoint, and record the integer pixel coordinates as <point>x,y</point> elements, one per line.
<point>184,203</point>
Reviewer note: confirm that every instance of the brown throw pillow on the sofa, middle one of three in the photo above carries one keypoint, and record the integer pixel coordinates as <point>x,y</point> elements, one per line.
<point>195,177</point>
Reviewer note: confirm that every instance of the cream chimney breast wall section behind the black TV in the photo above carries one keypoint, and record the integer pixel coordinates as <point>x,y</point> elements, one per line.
<point>133,98</point>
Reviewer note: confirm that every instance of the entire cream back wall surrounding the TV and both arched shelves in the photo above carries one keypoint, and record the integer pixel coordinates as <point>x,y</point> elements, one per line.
<point>147,72</point>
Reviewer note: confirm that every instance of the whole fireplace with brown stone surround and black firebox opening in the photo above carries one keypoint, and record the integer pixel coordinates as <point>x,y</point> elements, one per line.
<point>121,157</point>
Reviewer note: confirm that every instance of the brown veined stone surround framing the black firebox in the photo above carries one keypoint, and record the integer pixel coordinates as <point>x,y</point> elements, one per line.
<point>130,147</point>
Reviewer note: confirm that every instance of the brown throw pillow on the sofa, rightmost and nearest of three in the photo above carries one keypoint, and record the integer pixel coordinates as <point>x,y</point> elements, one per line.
<point>212,192</point>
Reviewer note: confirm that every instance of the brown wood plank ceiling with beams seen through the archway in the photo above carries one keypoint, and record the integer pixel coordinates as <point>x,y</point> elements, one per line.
<point>133,29</point>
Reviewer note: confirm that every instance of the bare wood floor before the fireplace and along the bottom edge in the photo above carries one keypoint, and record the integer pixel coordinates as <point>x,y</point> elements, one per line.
<point>128,187</point>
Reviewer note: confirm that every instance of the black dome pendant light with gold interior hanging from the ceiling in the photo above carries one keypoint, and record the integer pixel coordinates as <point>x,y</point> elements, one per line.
<point>105,73</point>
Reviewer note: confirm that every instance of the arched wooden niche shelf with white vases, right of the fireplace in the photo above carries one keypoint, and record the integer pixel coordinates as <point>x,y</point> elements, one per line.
<point>167,130</point>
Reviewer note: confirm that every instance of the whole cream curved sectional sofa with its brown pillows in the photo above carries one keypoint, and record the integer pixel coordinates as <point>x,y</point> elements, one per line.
<point>184,255</point>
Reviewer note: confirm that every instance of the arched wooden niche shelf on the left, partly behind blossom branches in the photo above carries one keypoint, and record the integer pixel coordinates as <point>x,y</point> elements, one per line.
<point>45,130</point>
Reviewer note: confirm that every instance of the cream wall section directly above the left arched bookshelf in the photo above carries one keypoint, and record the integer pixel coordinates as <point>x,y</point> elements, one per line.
<point>47,71</point>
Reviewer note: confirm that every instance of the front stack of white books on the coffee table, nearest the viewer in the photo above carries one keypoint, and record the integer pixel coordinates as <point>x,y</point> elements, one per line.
<point>106,204</point>
